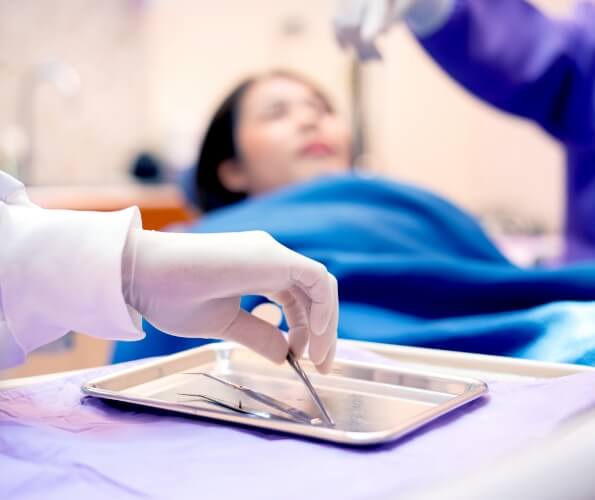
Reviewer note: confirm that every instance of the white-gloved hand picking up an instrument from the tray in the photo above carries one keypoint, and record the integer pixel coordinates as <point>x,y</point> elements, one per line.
<point>190,285</point>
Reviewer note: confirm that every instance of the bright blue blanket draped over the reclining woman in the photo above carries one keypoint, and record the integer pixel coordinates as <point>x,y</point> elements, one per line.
<point>413,269</point>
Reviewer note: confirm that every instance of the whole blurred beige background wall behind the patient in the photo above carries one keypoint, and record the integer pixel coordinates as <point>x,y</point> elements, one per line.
<point>152,71</point>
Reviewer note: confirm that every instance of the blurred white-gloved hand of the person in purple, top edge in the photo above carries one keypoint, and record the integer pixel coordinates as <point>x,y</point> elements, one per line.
<point>359,22</point>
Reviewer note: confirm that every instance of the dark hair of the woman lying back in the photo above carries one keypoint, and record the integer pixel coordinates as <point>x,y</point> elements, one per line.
<point>219,144</point>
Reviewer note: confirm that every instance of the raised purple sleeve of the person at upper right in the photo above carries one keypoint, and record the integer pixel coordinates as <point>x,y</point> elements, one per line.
<point>521,61</point>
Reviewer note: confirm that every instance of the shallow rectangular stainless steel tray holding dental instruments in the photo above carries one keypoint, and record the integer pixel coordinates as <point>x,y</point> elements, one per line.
<point>370,403</point>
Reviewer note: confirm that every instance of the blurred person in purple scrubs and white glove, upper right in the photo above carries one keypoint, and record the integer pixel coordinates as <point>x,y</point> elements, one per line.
<point>512,55</point>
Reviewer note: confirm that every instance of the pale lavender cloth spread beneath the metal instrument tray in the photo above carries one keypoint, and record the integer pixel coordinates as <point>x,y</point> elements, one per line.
<point>53,446</point>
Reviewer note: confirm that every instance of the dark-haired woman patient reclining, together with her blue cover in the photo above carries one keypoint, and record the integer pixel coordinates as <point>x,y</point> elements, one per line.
<point>412,268</point>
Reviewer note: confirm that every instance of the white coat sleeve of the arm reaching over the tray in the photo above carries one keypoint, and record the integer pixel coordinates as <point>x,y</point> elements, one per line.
<point>60,270</point>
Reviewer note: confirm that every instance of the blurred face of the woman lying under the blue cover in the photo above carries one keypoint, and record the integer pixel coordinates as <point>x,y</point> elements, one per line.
<point>286,133</point>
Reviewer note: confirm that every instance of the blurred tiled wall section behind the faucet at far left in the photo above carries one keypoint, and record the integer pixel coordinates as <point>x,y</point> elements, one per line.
<point>93,136</point>
